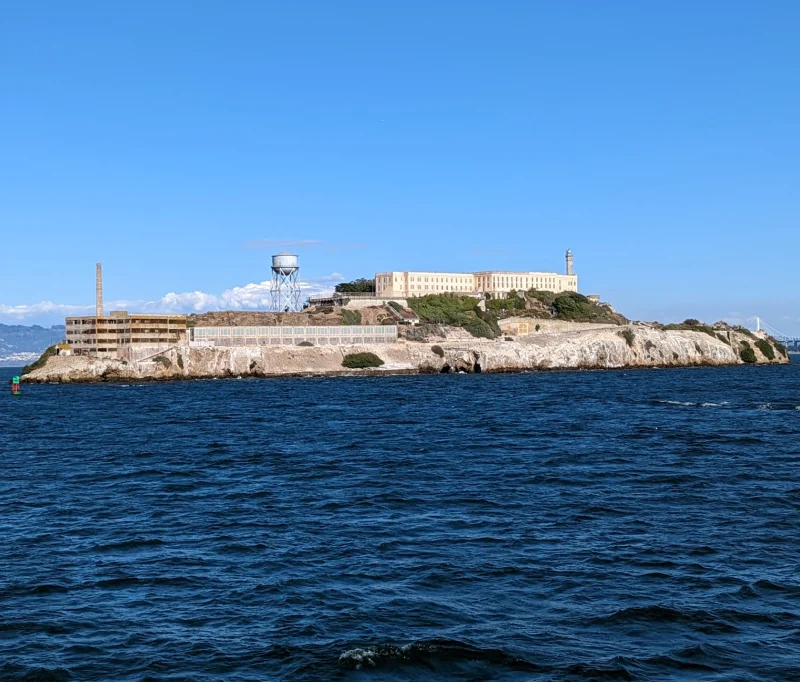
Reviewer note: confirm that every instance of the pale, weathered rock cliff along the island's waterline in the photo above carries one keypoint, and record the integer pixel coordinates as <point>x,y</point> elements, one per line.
<point>601,347</point>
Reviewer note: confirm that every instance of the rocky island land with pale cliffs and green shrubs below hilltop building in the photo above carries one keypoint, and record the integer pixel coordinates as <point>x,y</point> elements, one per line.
<point>446,333</point>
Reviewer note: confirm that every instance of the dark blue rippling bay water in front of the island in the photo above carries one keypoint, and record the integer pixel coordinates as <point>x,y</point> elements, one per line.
<point>557,526</point>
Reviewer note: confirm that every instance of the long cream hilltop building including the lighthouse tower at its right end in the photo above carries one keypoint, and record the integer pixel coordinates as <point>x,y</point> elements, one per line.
<point>405,284</point>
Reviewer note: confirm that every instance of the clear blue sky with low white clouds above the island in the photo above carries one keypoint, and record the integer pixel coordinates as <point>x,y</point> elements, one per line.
<point>181,143</point>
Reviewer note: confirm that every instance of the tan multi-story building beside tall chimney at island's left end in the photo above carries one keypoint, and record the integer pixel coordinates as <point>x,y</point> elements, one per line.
<point>118,334</point>
